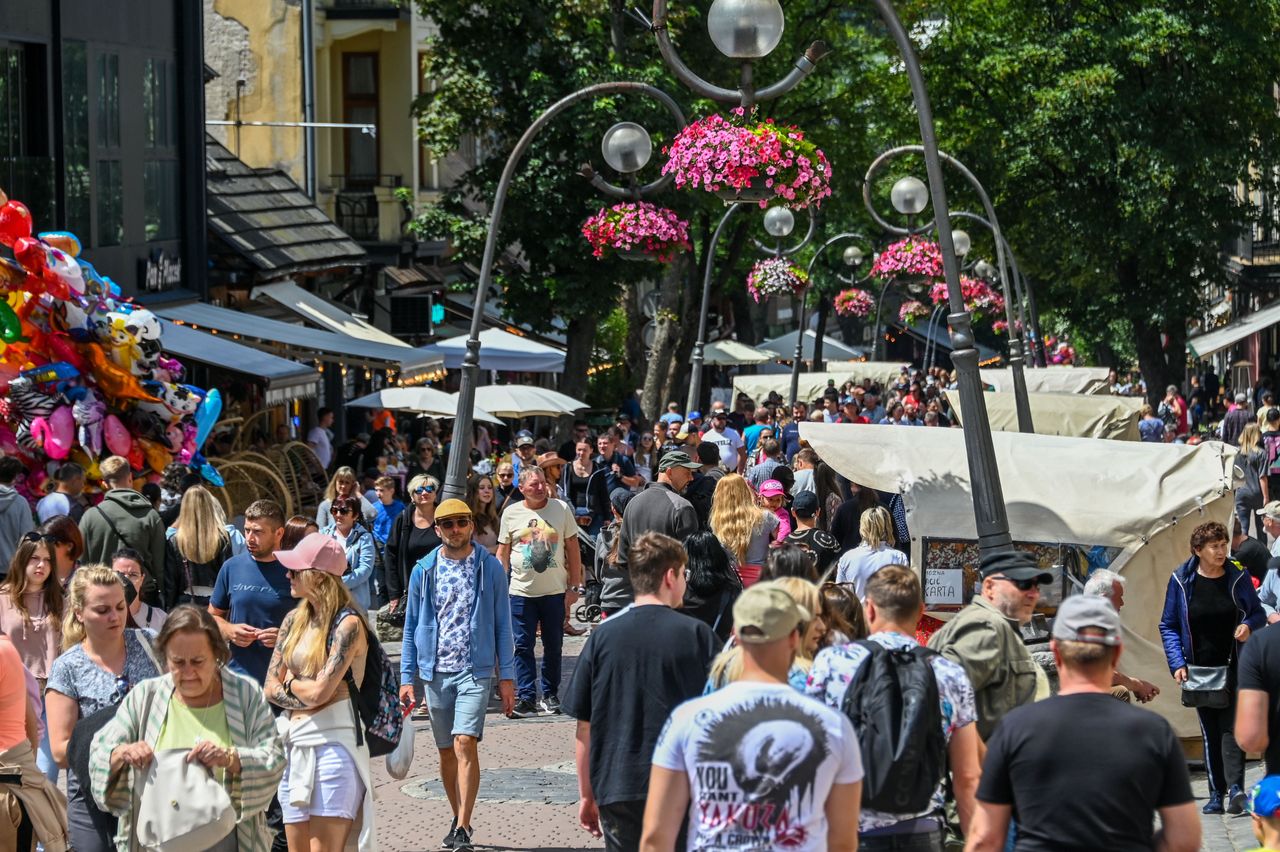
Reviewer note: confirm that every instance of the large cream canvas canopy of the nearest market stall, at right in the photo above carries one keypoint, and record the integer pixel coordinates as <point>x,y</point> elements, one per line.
<point>1137,502</point>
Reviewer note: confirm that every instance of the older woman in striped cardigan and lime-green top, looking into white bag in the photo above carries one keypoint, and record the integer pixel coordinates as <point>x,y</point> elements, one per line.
<point>218,717</point>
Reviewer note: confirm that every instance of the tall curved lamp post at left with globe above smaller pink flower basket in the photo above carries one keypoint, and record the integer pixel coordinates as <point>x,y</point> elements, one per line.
<point>630,150</point>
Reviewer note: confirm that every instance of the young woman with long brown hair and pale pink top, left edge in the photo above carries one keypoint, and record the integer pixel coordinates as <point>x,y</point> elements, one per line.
<point>31,616</point>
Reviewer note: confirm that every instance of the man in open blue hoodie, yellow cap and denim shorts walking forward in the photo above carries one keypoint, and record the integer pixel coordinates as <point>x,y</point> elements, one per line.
<point>458,629</point>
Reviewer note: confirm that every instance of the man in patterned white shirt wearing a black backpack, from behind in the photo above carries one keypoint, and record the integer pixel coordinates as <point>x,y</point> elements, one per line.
<point>906,754</point>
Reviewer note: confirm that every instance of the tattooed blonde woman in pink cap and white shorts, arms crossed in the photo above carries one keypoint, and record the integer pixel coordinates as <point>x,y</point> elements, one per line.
<point>327,793</point>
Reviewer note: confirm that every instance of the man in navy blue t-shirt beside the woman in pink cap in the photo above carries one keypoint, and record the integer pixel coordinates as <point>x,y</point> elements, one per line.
<point>252,596</point>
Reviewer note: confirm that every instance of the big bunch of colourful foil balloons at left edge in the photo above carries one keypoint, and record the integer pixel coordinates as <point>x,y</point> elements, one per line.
<point>83,368</point>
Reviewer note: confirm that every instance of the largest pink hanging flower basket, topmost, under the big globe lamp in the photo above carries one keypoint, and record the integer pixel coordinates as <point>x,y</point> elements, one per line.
<point>743,159</point>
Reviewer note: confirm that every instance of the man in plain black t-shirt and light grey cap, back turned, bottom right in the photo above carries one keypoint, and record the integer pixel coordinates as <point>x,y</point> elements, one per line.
<point>1090,793</point>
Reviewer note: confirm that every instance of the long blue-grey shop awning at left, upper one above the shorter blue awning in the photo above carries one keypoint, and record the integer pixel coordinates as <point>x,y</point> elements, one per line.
<point>314,343</point>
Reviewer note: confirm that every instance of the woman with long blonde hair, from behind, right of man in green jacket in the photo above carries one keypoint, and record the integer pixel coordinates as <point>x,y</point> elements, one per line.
<point>196,547</point>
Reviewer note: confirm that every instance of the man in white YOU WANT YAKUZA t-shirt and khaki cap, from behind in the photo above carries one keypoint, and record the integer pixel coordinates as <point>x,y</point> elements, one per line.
<point>758,766</point>
